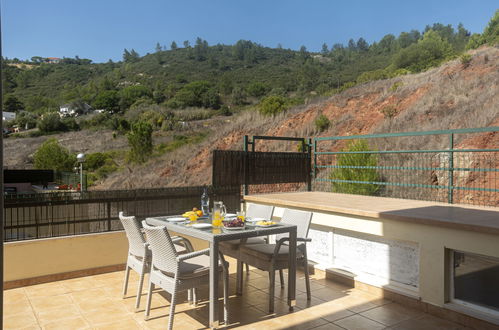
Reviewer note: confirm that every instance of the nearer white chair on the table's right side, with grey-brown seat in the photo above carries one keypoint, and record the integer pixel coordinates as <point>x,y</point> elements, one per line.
<point>272,257</point>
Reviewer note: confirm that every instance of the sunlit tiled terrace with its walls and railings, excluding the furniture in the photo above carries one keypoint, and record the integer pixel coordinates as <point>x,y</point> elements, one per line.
<point>385,261</point>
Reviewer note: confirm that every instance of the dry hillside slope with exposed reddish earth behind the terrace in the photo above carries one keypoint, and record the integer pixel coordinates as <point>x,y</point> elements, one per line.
<point>450,96</point>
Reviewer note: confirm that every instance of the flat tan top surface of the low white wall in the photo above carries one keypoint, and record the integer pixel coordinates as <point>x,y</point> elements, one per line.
<point>461,217</point>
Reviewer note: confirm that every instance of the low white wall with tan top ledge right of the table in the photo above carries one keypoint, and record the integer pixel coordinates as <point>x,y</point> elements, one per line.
<point>399,245</point>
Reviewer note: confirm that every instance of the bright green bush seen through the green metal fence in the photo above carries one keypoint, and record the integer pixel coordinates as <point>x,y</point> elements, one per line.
<point>356,167</point>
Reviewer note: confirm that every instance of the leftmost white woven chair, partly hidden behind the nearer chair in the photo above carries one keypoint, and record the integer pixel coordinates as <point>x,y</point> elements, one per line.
<point>139,255</point>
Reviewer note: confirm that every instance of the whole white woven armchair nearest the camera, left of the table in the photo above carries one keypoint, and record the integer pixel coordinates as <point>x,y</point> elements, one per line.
<point>174,273</point>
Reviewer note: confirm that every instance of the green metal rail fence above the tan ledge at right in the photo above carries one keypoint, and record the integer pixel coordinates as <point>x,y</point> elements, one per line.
<point>454,166</point>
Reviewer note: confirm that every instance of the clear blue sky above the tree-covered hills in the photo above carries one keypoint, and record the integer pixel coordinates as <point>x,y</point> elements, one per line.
<point>101,29</point>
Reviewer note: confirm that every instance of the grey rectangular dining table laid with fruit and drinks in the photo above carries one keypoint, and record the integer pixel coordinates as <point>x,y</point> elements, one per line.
<point>215,235</point>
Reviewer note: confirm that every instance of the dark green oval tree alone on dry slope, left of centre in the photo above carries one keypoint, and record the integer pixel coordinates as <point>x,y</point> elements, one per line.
<point>140,142</point>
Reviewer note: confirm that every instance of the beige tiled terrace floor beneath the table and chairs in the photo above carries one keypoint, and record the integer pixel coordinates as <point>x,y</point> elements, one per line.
<point>95,302</point>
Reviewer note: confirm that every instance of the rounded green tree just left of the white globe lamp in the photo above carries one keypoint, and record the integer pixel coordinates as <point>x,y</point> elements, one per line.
<point>51,155</point>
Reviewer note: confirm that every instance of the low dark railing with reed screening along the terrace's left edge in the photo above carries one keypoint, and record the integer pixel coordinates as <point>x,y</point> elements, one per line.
<point>72,213</point>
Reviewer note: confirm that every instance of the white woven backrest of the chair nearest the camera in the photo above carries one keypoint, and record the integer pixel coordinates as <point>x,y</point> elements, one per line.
<point>164,255</point>
